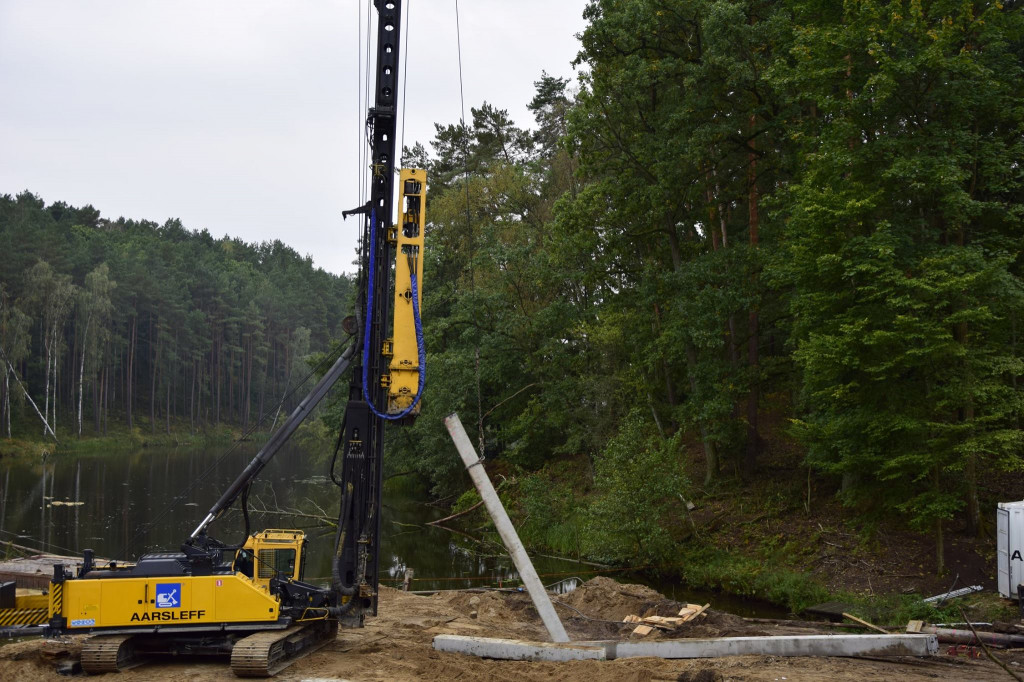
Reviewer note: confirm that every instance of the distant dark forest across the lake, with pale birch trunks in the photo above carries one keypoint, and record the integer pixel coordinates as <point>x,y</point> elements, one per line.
<point>105,321</point>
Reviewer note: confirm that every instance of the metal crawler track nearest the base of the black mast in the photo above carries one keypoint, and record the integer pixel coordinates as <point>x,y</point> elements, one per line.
<point>267,654</point>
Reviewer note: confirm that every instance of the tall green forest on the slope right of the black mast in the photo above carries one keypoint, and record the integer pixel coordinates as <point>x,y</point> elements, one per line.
<point>804,208</point>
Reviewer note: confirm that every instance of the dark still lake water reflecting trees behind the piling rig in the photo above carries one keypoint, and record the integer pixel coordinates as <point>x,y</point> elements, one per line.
<point>123,504</point>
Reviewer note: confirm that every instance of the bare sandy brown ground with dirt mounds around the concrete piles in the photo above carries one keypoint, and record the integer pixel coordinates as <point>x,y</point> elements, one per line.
<point>397,646</point>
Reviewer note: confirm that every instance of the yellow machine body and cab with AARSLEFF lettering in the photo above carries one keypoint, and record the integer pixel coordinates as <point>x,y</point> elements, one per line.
<point>243,598</point>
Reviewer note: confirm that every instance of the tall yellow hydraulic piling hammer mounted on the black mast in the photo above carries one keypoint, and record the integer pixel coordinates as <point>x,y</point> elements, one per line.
<point>403,382</point>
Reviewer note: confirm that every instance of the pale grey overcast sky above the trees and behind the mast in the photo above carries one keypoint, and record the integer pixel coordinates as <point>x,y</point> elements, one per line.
<point>242,116</point>
